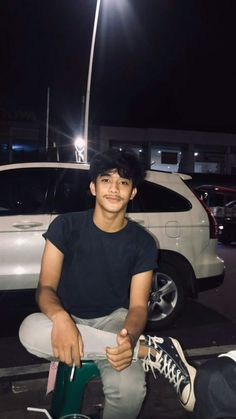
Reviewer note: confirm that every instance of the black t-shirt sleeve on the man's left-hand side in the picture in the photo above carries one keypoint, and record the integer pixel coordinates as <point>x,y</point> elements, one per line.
<point>57,233</point>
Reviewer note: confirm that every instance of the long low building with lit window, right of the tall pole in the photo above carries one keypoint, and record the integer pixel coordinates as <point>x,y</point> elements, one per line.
<point>175,150</point>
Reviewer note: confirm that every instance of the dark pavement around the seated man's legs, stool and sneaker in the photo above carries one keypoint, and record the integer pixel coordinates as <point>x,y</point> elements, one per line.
<point>23,377</point>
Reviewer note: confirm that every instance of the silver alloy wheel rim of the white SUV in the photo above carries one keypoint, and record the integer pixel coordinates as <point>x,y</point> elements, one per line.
<point>163,297</point>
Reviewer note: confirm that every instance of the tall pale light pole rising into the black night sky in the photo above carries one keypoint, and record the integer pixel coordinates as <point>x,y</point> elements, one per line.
<point>87,99</point>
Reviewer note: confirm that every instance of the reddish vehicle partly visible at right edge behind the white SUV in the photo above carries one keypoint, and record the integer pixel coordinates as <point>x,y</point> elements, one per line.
<point>222,202</point>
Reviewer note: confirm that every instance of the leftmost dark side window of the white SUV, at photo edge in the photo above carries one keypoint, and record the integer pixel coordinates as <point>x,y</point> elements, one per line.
<point>23,191</point>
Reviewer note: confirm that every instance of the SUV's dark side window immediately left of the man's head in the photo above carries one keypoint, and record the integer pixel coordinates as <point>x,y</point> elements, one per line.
<point>72,191</point>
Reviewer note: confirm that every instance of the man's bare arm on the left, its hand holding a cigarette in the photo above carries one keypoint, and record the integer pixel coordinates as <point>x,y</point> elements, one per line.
<point>65,339</point>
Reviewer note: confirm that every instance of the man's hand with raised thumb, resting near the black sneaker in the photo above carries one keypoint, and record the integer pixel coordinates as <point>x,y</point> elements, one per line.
<point>120,357</point>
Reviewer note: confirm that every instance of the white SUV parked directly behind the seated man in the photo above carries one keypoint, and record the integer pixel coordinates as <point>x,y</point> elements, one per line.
<point>32,194</point>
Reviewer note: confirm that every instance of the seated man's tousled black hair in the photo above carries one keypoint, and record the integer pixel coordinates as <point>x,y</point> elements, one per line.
<point>125,162</point>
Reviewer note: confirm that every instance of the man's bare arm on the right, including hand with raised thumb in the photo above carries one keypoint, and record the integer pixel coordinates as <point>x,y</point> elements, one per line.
<point>121,356</point>
